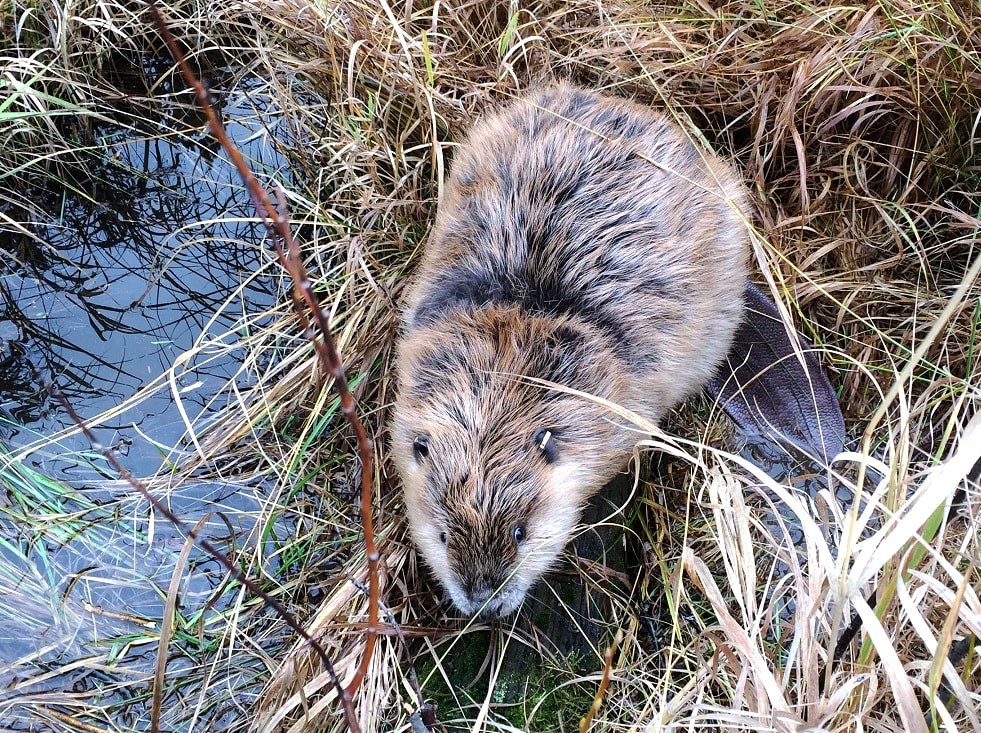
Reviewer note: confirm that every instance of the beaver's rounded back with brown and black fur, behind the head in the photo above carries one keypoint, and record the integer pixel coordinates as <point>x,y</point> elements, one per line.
<point>572,203</point>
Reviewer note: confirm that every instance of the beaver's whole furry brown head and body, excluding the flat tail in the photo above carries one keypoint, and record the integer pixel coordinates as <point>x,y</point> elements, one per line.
<point>586,253</point>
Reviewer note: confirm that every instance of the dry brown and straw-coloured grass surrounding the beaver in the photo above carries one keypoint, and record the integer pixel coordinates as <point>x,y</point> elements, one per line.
<point>857,129</point>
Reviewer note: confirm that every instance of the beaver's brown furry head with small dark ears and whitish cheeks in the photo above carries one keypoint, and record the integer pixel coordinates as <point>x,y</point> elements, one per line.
<point>497,466</point>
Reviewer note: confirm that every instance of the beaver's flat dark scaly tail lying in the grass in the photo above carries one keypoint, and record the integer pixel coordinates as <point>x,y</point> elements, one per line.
<point>767,385</point>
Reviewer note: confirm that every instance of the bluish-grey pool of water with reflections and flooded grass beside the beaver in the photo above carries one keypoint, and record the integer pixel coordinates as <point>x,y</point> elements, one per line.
<point>107,278</point>
